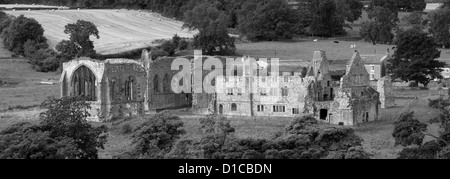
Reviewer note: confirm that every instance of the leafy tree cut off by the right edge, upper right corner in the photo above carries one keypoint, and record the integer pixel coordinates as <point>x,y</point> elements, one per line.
<point>439,26</point>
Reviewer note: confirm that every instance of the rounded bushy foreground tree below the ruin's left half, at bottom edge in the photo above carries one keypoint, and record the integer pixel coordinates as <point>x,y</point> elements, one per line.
<point>156,137</point>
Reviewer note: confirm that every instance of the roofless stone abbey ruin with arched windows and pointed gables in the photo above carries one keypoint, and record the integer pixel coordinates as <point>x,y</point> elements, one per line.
<point>341,92</point>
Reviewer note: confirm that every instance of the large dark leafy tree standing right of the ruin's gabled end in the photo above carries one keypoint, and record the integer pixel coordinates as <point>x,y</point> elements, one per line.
<point>415,58</point>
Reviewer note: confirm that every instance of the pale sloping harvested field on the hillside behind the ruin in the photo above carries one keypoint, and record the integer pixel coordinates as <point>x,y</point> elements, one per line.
<point>120,30</point>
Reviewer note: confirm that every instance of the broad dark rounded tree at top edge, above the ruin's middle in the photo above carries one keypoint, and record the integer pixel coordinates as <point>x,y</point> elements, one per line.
<point>267,20</point>
